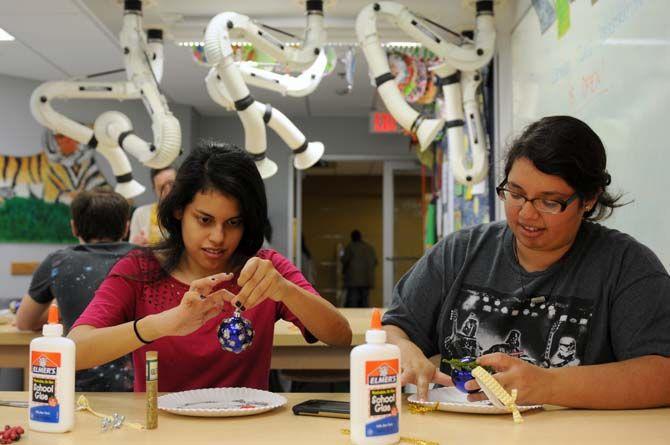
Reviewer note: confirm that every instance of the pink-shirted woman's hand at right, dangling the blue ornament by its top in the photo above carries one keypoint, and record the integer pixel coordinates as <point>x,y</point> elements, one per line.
<point>259,280</point>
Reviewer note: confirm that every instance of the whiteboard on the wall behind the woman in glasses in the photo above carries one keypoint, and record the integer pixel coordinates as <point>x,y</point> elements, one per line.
<point>612,70</point>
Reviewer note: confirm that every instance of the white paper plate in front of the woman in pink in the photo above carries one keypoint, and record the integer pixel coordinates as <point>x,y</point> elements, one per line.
<point>220,402</point>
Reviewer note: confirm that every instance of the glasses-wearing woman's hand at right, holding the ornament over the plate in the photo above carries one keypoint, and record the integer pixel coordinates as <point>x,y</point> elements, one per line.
<point>533,384</point>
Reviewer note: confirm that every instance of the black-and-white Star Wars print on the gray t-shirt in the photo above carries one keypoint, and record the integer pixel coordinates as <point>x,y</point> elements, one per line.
<point>548,331</point>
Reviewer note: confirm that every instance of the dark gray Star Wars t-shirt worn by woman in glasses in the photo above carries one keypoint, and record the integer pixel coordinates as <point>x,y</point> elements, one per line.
<point>607,299</point>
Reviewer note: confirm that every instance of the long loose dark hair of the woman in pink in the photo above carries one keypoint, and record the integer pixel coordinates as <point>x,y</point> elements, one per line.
<point>227,169</point>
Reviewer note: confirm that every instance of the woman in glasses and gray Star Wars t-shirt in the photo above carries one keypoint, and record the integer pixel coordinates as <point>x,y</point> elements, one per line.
<point>566,311</point>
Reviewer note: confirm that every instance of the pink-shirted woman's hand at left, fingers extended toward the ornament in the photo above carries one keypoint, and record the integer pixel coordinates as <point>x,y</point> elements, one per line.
<point>197,306</point>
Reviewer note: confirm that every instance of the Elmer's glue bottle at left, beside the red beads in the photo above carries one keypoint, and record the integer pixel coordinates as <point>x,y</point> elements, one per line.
<point>51,384</point>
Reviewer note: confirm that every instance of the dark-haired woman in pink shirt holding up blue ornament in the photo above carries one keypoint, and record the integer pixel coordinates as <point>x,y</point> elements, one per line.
<point>172,297</point>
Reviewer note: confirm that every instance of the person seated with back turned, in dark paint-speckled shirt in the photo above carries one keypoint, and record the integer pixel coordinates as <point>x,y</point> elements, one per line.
<point>71,275</point>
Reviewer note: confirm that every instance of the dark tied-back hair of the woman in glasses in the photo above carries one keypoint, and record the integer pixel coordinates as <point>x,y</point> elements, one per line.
<point>566,147</point>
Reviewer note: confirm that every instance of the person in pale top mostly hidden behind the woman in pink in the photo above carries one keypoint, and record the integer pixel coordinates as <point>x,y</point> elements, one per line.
<point>144,228</point>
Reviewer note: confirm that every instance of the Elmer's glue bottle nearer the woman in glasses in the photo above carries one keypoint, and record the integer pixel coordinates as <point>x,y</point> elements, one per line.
<point>375,388</point>
